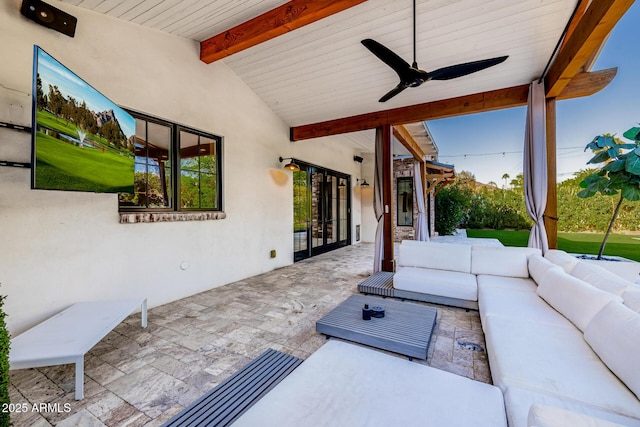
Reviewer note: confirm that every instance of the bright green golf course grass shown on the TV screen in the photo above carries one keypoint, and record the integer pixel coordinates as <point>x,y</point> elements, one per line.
<point>63,166</point>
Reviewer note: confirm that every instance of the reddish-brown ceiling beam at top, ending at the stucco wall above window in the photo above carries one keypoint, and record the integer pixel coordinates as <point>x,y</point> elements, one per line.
<point>288,17</point>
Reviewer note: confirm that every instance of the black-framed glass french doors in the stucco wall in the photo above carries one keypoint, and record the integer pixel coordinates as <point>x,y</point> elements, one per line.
<point>321,211</point>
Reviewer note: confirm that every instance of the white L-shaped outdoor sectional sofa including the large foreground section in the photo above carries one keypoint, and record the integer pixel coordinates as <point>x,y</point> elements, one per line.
<point>562,338</point>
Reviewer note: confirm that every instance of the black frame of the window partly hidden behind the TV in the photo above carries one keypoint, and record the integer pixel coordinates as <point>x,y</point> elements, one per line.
<point>175,166</point>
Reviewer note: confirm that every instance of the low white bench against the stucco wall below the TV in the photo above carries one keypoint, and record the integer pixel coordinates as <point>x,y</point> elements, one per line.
<point>67,336</point>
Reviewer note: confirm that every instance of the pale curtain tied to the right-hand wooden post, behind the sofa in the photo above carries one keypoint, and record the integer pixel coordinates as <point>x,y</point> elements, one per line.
<point>535,165</point>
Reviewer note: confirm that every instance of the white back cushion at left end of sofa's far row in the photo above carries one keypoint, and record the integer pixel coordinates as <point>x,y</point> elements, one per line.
<point>441,256</point>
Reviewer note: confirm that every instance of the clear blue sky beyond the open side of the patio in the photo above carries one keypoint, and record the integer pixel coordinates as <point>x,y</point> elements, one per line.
<point>490,144</point>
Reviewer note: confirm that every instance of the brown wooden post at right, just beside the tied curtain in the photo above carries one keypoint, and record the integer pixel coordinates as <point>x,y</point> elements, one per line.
<point>551,210</point>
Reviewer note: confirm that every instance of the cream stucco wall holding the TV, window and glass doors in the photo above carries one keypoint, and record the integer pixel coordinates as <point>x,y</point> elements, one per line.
<point>57,248</point>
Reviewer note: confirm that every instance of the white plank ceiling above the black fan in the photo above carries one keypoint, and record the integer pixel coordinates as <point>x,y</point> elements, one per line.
<point>321,71</point>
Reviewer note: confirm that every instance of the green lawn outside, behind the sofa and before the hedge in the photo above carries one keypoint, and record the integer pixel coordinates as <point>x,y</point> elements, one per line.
<point>624,245</point>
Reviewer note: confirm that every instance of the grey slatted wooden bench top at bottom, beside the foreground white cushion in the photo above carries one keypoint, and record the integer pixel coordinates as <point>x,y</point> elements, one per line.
<point>234,396</point>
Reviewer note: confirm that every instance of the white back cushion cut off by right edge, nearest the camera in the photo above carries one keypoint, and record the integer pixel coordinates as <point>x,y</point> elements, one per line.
<point>613,334</point>
